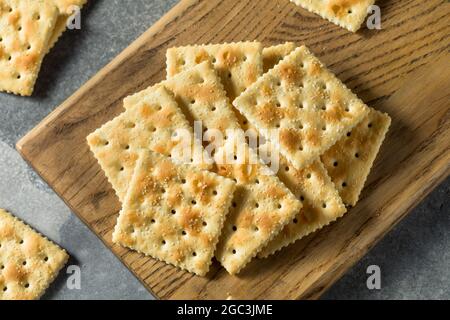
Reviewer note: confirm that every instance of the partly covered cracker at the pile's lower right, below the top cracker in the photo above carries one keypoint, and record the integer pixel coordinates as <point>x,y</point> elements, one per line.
<point>321,204</point>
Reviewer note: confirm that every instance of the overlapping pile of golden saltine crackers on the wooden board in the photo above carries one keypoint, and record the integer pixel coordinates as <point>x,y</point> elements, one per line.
<point>186,210</point>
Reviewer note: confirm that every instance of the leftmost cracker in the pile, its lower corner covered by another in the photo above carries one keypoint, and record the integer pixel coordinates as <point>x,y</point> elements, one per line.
<point>152,123</point>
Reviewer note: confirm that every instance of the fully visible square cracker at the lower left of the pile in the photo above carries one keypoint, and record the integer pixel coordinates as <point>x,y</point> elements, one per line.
<point>174,213</point>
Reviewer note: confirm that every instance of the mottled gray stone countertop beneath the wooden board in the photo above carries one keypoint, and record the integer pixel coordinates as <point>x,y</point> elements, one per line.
<point>414,258</point>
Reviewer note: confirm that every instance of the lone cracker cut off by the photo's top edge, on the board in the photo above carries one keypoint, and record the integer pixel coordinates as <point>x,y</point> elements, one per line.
<point>349,14</point>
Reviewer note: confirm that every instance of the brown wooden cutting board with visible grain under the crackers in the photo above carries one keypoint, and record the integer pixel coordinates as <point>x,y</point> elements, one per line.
<point>402,69</point>
